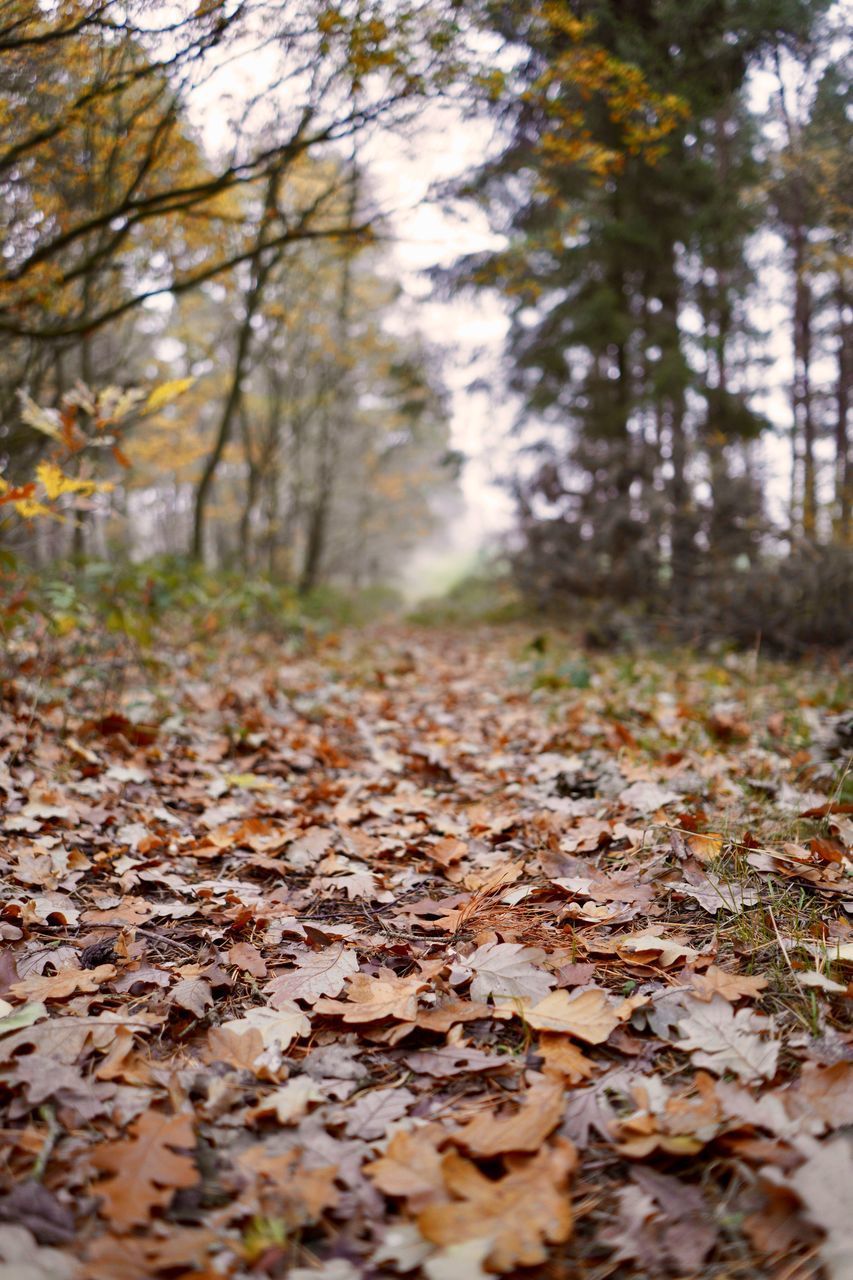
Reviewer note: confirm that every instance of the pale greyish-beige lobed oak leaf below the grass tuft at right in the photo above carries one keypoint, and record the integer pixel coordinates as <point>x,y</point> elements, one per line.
<point>726,1041</point>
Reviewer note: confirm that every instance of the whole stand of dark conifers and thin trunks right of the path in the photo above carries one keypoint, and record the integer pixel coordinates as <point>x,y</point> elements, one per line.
<point>636,290</point>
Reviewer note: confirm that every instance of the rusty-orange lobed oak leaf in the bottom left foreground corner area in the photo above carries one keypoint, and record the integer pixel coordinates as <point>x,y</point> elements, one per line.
<point>147,1169</point>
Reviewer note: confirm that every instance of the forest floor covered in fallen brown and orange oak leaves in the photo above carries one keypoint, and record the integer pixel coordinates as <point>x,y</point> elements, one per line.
<point>423,953</point>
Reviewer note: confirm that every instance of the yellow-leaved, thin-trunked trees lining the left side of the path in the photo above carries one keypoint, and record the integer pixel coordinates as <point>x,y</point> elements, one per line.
<point>312,442</point>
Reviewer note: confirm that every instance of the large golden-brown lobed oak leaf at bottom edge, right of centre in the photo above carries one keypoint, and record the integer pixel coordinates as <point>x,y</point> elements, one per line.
<point>518,1214</point>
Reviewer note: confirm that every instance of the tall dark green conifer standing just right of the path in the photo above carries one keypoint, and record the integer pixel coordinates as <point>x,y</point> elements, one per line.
<point>604,264</point>
